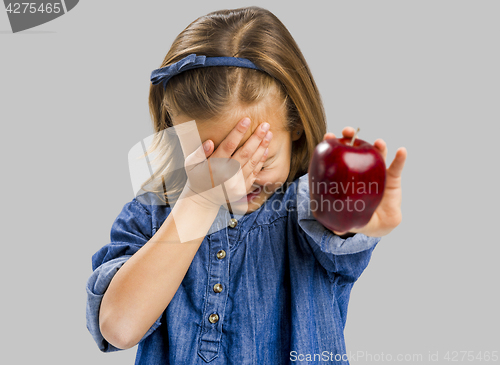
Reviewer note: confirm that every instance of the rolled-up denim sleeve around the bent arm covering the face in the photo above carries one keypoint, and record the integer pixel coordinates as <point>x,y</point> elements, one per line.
<point>130,231</point>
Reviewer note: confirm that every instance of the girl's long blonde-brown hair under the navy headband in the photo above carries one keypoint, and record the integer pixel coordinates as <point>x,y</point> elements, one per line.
<point>256,34</point>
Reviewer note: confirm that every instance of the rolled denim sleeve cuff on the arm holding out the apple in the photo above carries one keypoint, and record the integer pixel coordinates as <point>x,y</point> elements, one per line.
<point>346,257</point>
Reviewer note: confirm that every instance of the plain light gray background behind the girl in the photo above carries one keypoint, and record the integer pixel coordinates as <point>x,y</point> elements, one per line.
<point>419,74</point>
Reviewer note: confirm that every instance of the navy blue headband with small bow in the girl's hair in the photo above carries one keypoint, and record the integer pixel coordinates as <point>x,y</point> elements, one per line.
<point>193,61</point>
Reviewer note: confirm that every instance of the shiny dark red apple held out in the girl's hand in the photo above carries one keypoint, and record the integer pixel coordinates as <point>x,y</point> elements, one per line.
<point>346,183</point>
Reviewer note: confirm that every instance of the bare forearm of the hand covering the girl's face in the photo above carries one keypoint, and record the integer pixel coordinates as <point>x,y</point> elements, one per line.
<point>144,286</point>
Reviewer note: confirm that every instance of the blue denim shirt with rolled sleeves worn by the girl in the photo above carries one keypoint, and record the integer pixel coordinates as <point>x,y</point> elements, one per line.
<point>286,282</point>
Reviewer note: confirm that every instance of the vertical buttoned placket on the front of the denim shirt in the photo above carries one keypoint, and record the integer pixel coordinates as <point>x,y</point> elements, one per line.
<point>217,286</point>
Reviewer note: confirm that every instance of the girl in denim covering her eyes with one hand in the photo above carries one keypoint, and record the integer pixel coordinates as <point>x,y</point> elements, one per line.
<point>262,282</point>
